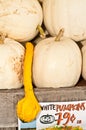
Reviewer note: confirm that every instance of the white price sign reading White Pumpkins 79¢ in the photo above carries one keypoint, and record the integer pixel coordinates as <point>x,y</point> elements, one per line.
<point>62,114</point>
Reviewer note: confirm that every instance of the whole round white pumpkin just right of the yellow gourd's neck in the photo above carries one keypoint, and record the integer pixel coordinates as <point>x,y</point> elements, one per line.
<point>56,63</point>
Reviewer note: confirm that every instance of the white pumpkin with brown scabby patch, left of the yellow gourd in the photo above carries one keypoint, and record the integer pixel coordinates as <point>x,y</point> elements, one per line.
<point>11,64</point>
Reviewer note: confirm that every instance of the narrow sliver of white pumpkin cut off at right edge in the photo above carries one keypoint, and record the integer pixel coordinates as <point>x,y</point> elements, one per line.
<point>83,50</point>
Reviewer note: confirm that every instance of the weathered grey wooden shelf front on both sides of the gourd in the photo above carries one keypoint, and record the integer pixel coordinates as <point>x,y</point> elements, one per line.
<point>9,99</point>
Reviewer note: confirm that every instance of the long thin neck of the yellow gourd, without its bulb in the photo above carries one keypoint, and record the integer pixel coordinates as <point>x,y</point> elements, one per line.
<point>28,69</point>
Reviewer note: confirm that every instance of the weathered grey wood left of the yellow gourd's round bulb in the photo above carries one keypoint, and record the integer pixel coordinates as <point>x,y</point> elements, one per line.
<point>8,101</point>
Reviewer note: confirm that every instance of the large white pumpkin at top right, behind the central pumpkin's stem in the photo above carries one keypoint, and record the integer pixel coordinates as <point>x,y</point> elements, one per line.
<point>67,14</point>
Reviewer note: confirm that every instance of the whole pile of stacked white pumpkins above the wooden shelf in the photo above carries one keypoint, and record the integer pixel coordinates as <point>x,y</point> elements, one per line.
<point>58,60</point>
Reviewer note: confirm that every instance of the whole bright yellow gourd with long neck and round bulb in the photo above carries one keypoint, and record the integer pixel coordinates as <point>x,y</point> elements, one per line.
<point>28,107</point>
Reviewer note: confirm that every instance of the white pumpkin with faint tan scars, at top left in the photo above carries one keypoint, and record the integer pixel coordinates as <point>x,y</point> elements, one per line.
<point>19,18</point>
